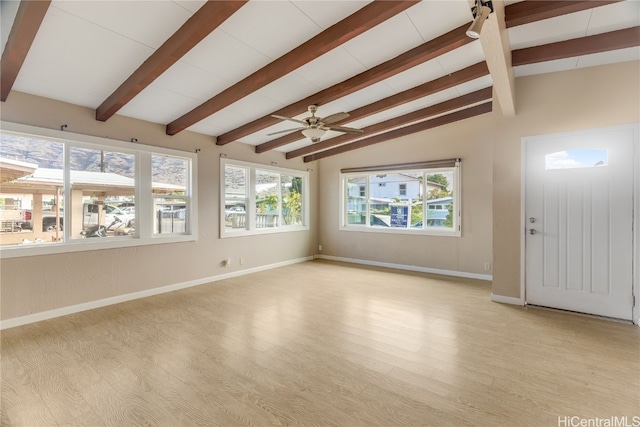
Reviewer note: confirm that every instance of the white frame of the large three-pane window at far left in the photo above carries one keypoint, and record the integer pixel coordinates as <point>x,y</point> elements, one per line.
<point>143,195</point>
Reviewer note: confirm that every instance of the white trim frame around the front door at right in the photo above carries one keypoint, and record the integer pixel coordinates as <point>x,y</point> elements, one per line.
<point>635,128</point>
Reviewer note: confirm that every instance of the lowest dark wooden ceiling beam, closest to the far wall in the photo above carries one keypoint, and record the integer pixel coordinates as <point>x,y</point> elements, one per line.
<point>408,130</point>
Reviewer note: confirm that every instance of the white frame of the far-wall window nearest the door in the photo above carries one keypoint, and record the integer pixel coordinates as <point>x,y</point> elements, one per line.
<point>456,231</point>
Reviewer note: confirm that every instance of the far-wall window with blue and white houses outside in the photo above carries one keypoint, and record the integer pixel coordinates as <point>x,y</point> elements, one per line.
<point>420,198</point>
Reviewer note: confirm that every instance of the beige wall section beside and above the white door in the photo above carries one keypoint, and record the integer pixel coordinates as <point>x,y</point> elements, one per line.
<point>559,102</point>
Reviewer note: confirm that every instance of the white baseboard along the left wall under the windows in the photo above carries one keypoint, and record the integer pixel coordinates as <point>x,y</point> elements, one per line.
<point>58,312</point>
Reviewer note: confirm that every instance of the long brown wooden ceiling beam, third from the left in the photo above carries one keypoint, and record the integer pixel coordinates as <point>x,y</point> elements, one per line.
<point>355,24</point>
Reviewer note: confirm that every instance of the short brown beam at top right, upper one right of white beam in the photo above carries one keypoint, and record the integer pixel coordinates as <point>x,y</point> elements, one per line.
<point>529,11</point>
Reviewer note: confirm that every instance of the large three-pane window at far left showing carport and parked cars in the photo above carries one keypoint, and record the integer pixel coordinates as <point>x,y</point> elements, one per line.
<point>60,190</point>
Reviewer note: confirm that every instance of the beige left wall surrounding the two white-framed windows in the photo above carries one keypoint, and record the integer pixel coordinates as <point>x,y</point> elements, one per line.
<point>39,283</point>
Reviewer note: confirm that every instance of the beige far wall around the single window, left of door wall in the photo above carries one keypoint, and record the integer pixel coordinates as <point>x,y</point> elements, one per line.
<point>471,140</point>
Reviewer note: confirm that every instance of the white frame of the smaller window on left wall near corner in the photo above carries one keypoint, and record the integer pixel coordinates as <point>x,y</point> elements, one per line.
<point>250,228</point>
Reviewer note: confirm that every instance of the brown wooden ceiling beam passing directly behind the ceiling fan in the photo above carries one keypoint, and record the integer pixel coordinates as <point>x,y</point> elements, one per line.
<point>462,76</point>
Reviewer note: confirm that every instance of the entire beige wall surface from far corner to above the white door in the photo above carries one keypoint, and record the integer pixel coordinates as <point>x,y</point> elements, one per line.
<point>490,146</point>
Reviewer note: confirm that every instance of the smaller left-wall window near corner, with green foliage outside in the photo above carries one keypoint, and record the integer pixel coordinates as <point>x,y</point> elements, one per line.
<point>261,199</point>
